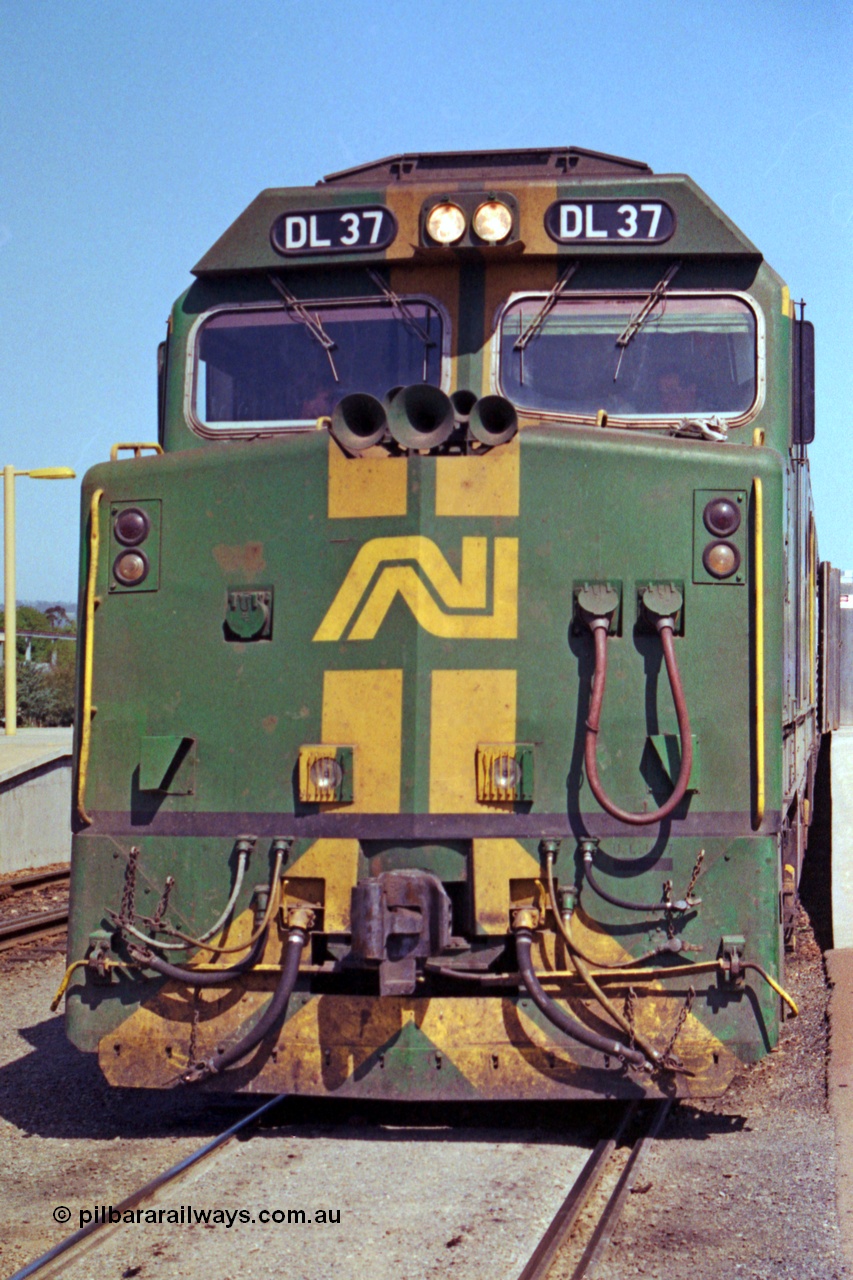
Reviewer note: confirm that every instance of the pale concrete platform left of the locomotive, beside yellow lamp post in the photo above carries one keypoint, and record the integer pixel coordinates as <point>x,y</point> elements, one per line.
<point>35,798</point>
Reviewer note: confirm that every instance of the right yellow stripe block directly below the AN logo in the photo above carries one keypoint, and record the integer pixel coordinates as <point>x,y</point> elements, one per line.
<point>468,708</point>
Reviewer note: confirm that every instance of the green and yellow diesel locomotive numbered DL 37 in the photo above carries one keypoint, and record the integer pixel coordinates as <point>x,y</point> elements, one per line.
<point>449,689</point>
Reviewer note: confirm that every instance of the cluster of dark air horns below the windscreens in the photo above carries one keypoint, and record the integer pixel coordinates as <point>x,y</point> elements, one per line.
<point>422,418</point>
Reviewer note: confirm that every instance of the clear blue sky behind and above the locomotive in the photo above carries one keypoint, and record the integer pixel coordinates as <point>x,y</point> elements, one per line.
<point>135,134</point>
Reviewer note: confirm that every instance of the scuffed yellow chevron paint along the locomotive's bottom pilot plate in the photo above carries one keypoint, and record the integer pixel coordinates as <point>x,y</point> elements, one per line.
<point>326,1048</point>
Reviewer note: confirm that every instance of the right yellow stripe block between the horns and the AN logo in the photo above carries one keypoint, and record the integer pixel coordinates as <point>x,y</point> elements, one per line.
<point>486,484</point>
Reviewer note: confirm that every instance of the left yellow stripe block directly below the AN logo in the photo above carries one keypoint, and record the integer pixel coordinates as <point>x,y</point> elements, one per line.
<point>366,708</point>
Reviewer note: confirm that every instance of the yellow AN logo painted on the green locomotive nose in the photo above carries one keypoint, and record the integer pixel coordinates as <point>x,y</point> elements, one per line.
<point>431,589</point>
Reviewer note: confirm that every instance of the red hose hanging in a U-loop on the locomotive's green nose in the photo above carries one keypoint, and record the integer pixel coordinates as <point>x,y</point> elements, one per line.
<point>594,720</point>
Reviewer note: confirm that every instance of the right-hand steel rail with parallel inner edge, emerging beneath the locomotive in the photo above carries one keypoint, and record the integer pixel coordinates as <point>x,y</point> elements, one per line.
<point>567,1217</point>
